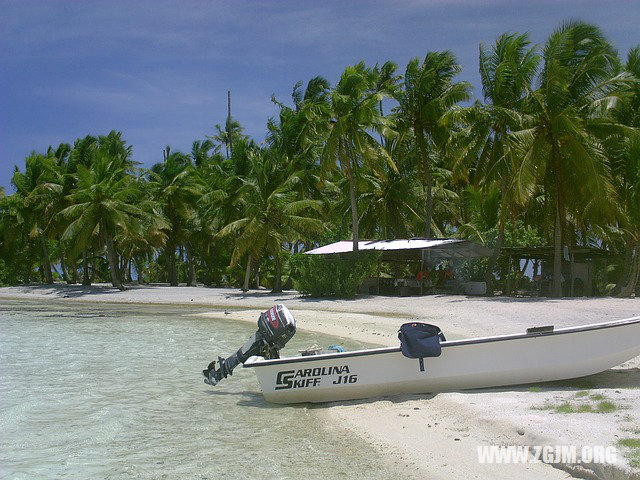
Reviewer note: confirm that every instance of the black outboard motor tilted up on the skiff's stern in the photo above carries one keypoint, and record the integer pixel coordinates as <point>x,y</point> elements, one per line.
<point>276,326</point>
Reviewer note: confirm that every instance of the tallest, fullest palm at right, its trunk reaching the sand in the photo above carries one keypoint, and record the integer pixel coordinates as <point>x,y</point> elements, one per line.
<point>569,114</point>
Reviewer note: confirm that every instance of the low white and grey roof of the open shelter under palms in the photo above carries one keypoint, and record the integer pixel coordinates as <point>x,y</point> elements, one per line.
<point>410,249</point>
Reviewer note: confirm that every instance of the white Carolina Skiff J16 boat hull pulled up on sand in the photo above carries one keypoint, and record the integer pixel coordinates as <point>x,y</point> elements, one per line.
<point>540,355</point>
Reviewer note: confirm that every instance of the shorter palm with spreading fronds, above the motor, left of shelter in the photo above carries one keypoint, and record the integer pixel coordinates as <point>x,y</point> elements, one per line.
<point>270,214</point>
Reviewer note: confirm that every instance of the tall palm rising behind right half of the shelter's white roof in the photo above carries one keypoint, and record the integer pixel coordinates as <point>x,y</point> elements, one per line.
<point>428,94</point>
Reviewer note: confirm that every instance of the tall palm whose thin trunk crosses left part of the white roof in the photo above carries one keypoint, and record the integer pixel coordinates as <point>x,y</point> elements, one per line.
<point>354,114</point>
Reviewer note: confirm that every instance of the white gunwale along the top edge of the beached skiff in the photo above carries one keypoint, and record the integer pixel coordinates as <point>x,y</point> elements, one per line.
<point>261,362</point>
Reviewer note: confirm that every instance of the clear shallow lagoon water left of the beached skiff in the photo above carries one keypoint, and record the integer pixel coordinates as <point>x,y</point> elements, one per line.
<point>113,392</point>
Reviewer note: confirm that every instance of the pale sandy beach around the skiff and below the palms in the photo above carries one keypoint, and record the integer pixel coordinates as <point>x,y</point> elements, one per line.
<point>436,436</point>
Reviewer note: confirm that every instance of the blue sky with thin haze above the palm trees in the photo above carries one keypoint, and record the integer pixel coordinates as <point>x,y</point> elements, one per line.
<point>159,71</point>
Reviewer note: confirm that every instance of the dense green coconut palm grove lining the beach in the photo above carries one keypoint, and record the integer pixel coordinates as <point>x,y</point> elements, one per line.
<point>549,157</point>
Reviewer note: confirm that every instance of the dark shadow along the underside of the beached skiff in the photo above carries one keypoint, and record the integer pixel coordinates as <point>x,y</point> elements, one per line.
<point>610,379</point>
